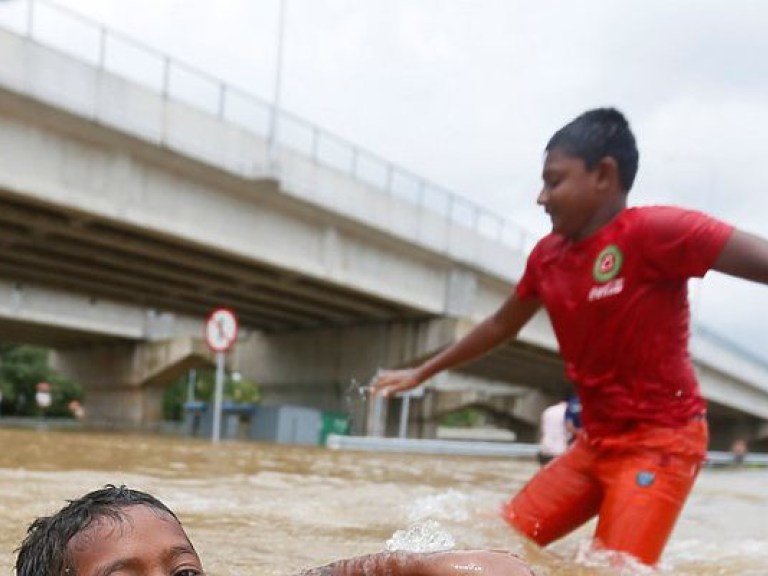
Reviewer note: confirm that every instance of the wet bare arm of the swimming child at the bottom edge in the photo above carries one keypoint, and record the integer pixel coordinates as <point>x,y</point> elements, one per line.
<point>450,563</point>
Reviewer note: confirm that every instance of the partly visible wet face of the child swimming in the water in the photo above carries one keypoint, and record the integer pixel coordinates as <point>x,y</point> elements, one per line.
<point>145,542</point>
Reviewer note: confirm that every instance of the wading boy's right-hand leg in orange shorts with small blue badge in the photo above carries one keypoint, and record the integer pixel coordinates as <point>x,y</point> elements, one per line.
<point>645,491</point>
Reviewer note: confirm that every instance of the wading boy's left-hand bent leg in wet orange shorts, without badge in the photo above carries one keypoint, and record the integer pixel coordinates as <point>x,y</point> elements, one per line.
<point>558,499</point>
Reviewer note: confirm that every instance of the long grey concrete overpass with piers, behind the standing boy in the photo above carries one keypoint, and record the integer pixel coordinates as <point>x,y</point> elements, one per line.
<point>129,209</point>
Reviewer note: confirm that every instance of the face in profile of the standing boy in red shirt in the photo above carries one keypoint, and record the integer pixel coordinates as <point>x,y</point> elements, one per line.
<point>570,195</point>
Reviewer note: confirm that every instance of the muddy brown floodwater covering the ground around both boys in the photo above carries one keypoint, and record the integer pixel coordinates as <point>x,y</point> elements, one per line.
<point>262,509</point>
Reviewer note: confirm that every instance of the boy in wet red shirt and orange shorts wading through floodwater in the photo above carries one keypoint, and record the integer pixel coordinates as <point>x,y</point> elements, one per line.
<point>613,280</point>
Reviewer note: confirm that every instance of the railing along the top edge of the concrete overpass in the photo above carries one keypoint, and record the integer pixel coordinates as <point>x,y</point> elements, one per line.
<point>59,27</point>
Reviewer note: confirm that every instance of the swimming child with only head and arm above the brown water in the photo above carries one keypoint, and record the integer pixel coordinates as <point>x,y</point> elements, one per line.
<point>117,530</point>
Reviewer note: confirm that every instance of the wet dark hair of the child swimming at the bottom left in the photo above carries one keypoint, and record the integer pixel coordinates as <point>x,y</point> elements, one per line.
<point>45,549</point>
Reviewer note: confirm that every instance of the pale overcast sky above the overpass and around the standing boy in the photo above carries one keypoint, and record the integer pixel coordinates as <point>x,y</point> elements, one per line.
<point>467,92</point>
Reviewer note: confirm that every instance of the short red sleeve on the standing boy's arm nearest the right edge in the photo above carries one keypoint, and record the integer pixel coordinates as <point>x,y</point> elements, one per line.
<point>679,243</point>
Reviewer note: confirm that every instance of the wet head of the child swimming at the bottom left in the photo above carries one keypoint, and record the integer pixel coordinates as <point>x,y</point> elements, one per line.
<point>135,532</point>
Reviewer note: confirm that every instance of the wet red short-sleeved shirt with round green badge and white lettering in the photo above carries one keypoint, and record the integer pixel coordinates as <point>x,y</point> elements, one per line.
<point>618,303</point>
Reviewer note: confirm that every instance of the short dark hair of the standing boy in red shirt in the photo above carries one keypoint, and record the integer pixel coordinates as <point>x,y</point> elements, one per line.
<point>596,134</point>
